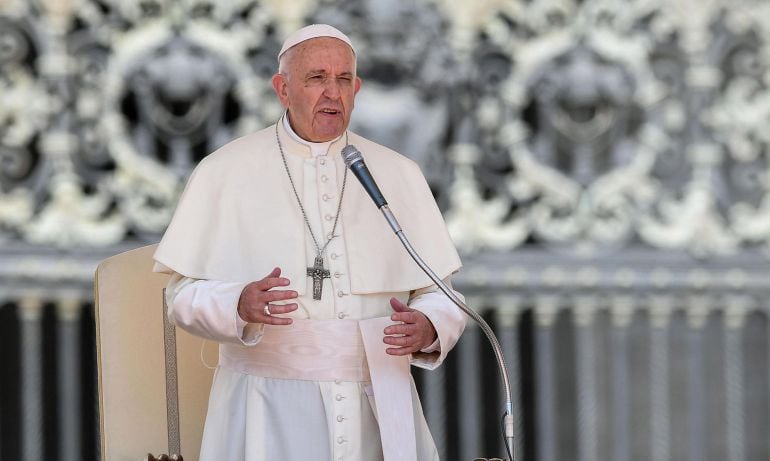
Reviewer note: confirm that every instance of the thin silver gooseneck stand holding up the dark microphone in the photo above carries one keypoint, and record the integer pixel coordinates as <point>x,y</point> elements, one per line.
<point>508,416</point>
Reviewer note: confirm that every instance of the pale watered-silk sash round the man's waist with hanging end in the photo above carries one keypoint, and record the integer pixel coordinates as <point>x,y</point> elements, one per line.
<point>346,350</point>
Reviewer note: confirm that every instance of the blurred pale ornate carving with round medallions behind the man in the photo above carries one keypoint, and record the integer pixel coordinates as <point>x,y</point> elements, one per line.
<point>577,125</point>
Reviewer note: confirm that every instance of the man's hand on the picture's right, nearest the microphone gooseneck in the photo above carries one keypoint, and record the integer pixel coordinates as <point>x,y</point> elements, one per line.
<point>414,334</point>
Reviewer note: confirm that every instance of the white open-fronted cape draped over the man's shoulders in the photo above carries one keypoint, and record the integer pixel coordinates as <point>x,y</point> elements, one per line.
<point>238,218</point>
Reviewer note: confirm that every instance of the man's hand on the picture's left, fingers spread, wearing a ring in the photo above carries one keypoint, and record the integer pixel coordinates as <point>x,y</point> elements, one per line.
<point>256,295</point>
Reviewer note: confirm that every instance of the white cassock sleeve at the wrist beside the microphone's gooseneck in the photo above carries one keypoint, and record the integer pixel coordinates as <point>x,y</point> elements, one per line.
<point>448,320</point>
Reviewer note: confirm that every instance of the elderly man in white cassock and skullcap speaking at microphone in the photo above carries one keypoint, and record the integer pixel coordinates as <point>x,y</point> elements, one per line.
<point>280,257</point>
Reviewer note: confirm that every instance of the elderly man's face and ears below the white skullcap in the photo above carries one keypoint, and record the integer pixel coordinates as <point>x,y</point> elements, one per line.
<point>319,88</point>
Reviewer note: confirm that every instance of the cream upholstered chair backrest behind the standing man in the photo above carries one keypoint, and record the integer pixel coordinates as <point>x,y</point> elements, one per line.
<point>132,364</point>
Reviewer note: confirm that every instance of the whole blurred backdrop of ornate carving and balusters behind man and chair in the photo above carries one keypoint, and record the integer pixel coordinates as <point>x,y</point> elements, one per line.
<point>601,164</point>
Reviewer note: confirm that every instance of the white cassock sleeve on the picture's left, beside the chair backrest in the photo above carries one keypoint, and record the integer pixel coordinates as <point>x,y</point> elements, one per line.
<point>209,309</point>
